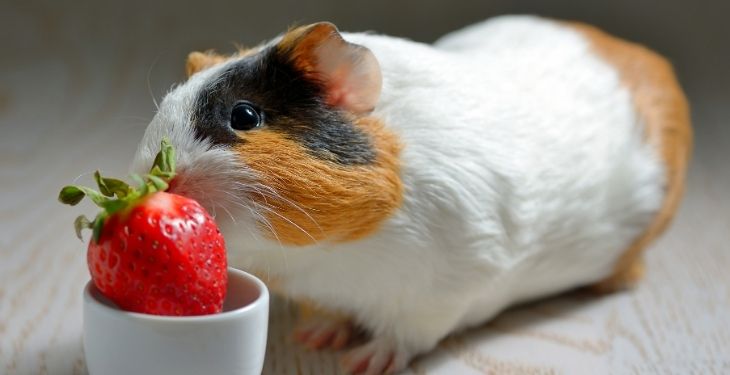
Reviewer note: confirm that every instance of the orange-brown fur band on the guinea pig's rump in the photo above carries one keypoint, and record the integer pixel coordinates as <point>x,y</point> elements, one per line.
<point>660,102</point>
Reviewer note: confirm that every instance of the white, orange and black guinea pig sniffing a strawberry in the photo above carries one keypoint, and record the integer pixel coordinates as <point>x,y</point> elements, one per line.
<point>413,190</point>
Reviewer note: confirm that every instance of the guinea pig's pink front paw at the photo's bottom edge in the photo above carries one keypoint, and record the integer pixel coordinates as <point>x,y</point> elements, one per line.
<point>378,356</point>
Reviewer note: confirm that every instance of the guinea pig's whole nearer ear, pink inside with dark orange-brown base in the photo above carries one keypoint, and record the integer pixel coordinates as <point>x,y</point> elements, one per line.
<point>349,72</point>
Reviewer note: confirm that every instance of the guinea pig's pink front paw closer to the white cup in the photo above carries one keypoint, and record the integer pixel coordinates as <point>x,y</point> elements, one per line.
<point>324,333</point>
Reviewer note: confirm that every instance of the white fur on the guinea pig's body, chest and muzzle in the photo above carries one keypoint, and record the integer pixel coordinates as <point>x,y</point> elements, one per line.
<point>525,175</point>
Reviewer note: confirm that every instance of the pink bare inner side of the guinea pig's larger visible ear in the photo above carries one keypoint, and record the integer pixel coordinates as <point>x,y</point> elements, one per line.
<point>352,75</point>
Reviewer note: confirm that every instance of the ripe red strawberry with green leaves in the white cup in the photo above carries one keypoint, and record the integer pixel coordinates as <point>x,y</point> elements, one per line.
<point>153,252</point>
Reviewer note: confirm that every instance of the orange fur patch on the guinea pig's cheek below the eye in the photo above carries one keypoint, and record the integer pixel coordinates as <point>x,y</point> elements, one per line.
<point>320,199</point>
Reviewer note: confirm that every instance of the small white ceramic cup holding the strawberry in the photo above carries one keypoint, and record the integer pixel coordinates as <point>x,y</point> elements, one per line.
<point>118,342</point>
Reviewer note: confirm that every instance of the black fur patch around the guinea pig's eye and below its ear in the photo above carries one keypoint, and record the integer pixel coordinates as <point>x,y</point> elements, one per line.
<point>291,104</point>
